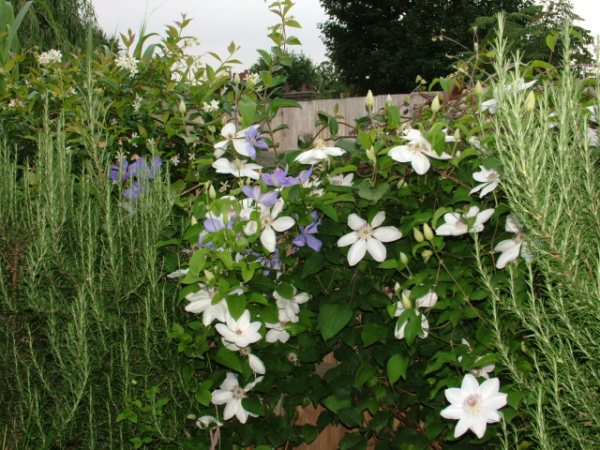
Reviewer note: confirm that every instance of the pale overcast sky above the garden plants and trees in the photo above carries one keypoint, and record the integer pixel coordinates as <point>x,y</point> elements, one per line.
<point>218,22</point>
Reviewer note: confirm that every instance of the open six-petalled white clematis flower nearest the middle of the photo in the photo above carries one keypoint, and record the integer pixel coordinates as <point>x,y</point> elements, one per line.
<point>368,238</point>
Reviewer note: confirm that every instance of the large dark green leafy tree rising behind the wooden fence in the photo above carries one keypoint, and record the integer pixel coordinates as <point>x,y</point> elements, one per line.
<point>384,44</point>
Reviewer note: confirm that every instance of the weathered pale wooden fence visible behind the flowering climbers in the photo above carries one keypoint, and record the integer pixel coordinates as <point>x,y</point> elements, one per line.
<point>301,121</point>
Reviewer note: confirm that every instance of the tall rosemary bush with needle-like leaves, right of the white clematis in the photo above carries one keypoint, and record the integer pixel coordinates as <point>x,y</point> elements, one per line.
<point>547,148</point>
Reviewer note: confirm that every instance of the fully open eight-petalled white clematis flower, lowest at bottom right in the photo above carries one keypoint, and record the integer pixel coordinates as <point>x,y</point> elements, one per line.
<point>474,405</point>
